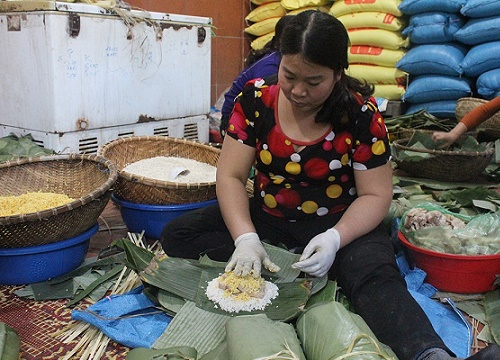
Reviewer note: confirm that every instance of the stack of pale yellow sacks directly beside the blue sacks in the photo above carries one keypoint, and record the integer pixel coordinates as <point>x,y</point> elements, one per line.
<point>375,32</point>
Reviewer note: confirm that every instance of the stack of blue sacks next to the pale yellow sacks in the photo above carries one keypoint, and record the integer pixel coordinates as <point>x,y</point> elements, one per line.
<point>434,58</point>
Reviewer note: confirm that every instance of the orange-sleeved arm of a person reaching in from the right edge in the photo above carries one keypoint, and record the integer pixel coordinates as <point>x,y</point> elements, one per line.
<point>471,120</point>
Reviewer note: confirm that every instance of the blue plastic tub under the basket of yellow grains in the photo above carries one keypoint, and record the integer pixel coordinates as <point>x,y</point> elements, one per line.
<point>33,264</point>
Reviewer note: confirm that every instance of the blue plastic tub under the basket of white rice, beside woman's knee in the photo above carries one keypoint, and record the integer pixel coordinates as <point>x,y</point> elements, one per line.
<point>152,218</point>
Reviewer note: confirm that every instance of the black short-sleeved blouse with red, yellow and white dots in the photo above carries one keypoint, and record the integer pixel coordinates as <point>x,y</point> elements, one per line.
<point>318,180</point>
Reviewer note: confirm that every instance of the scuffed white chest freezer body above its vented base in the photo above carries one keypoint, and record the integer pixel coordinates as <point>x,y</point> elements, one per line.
<point>74,67</point>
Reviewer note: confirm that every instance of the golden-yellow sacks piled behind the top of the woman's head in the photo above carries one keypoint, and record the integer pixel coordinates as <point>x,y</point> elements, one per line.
<point>266,13</point>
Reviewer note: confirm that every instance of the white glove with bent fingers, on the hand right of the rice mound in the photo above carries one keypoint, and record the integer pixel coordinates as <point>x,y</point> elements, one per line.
<point>319,254</point>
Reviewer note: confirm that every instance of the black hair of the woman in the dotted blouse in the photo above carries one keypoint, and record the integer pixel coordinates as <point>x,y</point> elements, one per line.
<point>322,39</point>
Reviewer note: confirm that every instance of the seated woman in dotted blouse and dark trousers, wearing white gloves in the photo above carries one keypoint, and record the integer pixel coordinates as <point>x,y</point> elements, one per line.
<point>323,186</point>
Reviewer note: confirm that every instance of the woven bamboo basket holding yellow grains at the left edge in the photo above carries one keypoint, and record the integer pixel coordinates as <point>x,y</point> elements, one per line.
<point>85,178</point>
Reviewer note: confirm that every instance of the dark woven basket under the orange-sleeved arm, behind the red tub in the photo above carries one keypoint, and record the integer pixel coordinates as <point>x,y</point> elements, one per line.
<point>443,165</point>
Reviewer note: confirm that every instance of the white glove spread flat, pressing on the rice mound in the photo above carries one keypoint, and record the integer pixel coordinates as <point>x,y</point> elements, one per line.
<point>249,255</point>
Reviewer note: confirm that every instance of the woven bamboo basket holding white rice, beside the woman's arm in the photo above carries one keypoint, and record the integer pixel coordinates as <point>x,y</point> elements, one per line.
<point>142,190</point>
